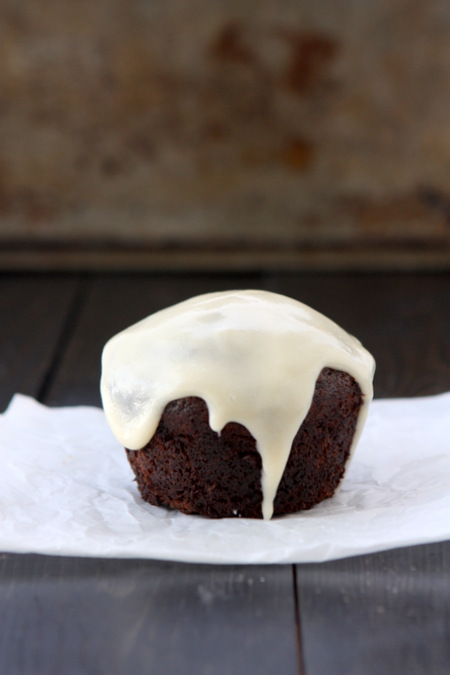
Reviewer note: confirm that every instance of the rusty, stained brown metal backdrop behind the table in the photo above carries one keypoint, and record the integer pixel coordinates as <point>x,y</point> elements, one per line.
<point>225,134</point>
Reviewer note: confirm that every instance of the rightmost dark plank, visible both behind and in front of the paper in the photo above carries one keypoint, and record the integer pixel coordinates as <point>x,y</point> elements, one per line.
<point>384,613</point>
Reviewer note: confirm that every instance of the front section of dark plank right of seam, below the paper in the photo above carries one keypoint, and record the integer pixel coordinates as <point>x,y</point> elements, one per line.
<point>378,614</point>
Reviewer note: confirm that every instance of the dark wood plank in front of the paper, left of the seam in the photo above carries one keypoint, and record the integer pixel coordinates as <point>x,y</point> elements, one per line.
<point>63,615</point>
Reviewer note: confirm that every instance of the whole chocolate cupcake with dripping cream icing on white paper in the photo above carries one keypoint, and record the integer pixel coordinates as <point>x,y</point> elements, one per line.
<point>237,404</point>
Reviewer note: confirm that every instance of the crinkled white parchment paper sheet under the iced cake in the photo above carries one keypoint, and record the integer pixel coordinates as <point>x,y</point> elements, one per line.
<point>67,489</point>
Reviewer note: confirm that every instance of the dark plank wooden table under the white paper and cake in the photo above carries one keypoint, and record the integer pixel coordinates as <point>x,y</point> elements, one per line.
<point>384,613</point>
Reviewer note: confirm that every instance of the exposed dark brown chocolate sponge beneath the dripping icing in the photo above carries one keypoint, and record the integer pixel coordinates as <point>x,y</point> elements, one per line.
<point>189,467</point>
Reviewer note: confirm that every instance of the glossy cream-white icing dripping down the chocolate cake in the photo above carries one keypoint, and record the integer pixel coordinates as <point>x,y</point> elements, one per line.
<point>253,356</point>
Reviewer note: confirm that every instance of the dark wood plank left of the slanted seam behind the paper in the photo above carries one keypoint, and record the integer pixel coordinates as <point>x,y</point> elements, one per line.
<point>34,310</point>
